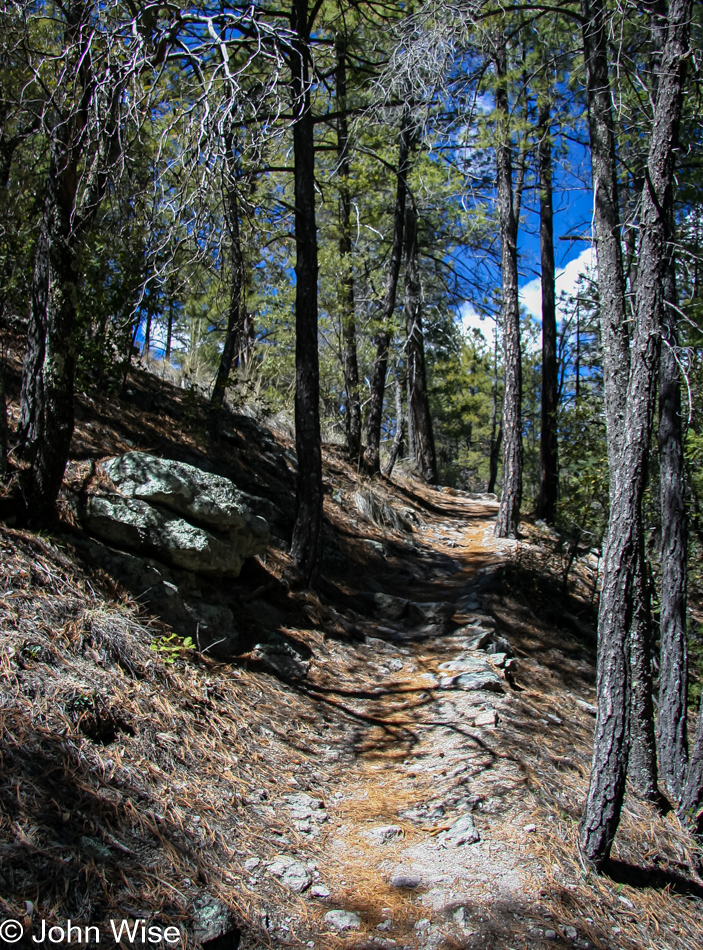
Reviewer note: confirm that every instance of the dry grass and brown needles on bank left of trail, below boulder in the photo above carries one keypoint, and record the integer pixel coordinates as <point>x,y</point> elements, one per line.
<point>158,763</point>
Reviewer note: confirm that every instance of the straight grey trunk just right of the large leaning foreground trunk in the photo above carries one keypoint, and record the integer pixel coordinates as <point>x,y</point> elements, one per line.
<point>673,657</point>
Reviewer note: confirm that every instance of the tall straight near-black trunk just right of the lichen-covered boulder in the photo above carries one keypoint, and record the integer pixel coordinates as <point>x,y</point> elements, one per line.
<point>308,520</point>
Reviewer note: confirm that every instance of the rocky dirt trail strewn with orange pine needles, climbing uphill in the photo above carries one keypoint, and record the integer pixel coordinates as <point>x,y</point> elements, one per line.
<point>429,757</point>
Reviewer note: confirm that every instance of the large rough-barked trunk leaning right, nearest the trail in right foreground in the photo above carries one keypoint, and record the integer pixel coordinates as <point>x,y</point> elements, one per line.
<point>622,552</point>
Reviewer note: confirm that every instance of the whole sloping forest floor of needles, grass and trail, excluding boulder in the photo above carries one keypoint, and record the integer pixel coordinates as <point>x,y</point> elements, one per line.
<point>382,800</point>
